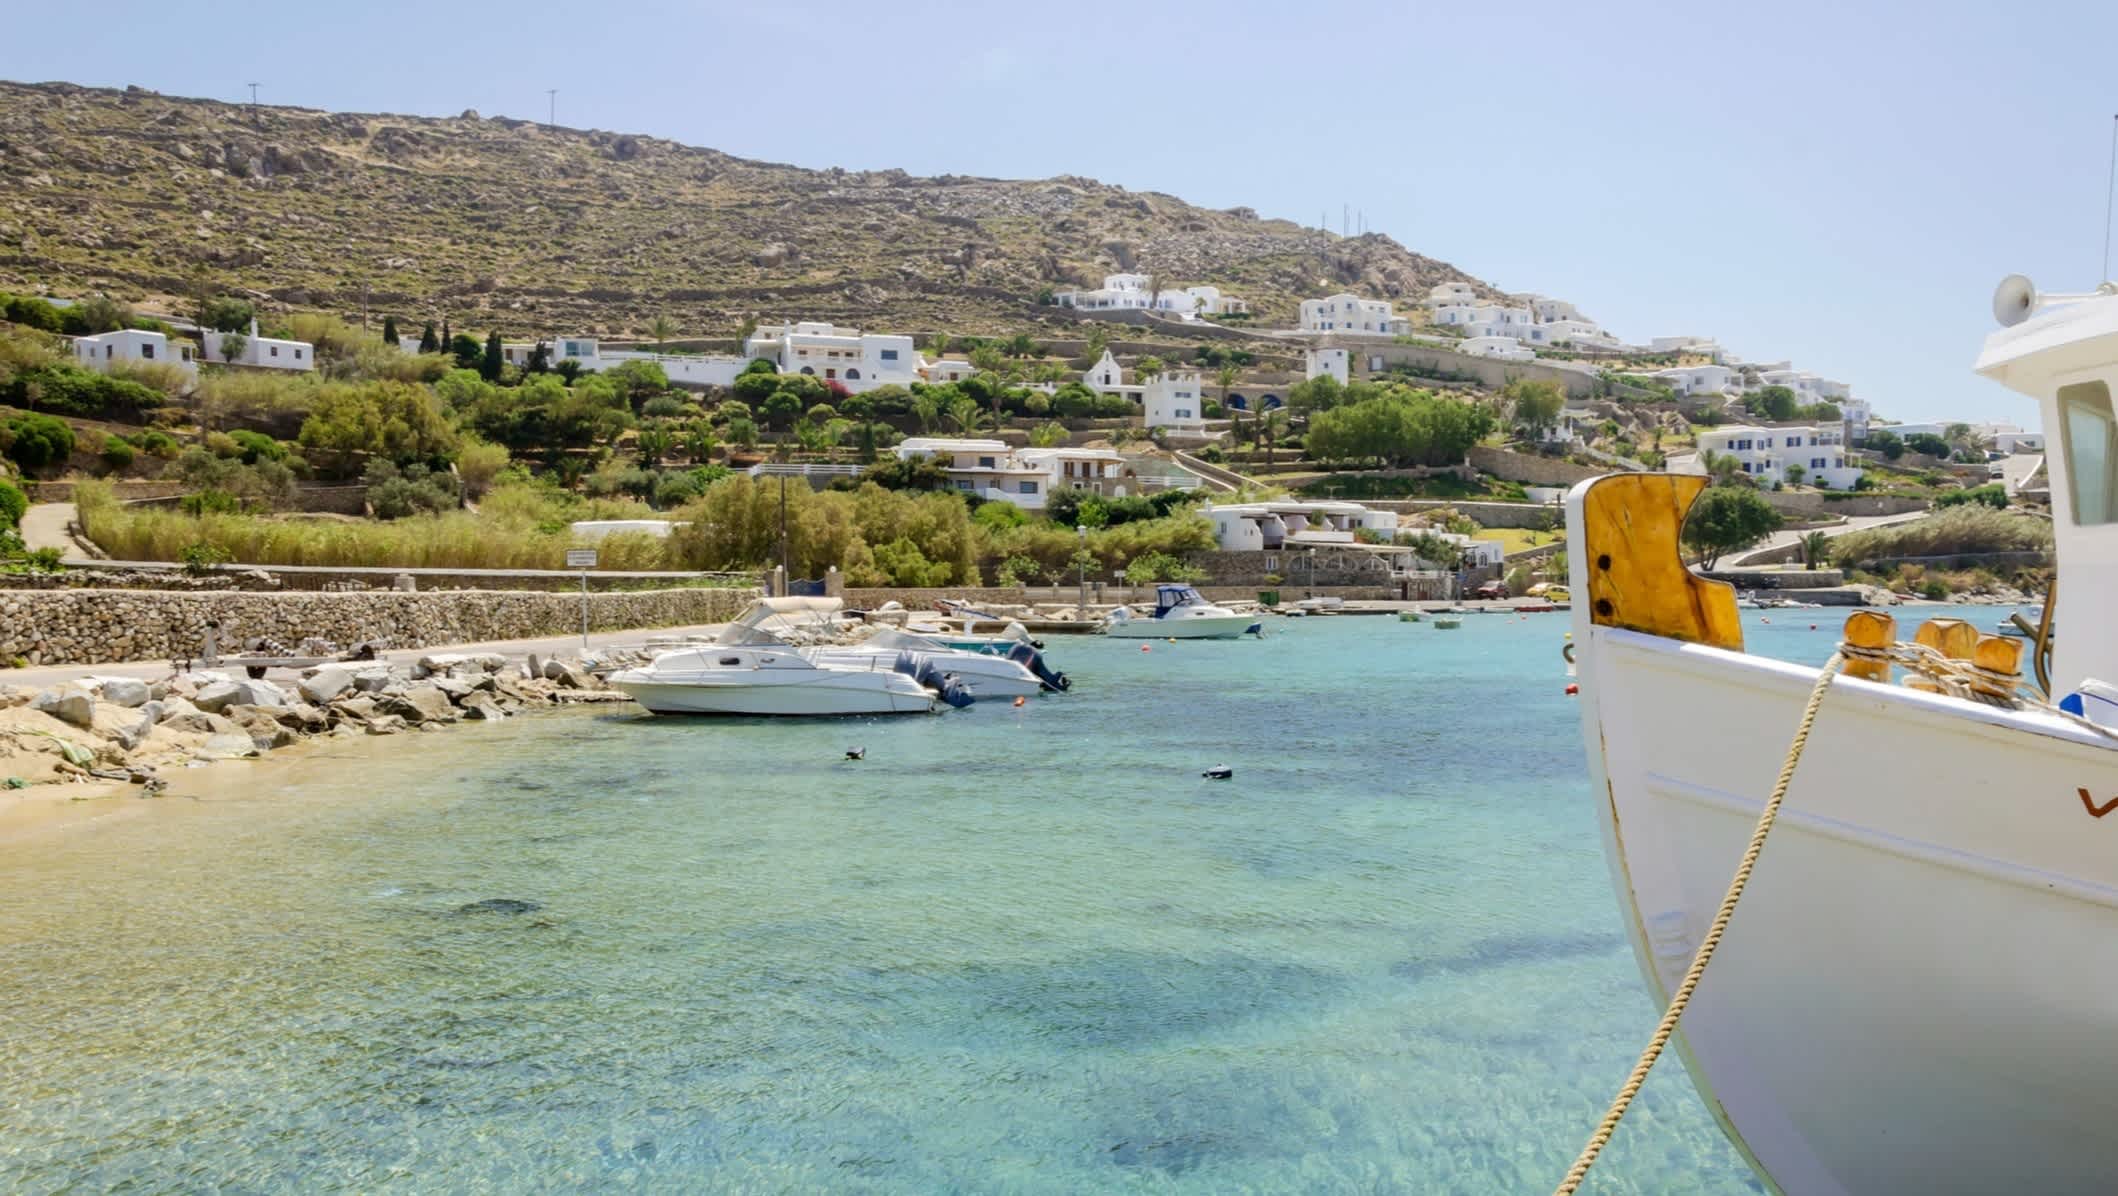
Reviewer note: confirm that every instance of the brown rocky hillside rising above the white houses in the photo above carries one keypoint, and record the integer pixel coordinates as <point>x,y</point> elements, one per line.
<point>535,230</point>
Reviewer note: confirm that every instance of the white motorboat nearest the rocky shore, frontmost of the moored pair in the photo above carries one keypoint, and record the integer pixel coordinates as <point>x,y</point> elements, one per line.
<point>772,681</point>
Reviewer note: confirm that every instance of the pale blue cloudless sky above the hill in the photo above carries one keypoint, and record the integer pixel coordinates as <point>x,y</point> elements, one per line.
<point>1831,183</point>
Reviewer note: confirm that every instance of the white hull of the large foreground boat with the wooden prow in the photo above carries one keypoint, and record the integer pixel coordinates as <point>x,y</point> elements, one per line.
<point>1920,990</point>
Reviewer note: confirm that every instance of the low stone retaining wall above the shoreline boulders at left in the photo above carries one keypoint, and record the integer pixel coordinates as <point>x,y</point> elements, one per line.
<point>94,628</point>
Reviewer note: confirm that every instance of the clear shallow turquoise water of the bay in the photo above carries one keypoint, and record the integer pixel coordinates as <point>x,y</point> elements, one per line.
<point>1011,952</point>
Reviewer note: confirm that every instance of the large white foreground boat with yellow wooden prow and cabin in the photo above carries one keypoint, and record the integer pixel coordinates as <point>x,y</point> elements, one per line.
<point>1920,987</point>
